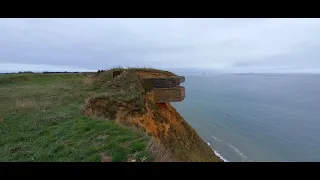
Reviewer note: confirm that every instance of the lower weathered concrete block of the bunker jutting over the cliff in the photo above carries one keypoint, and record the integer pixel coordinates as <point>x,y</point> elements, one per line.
<point>174,94</point>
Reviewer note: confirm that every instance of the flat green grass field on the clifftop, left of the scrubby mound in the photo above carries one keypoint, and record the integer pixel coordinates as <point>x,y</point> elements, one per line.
<point>41,120</point>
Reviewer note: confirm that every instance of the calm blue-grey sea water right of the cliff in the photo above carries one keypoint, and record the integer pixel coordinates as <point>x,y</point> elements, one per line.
<point>255,117</point>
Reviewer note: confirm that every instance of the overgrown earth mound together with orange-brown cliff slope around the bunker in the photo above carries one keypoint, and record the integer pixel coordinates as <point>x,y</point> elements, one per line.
<point>126,100</point>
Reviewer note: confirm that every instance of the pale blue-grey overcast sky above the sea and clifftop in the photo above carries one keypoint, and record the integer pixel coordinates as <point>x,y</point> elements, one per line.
<point>223,45</point>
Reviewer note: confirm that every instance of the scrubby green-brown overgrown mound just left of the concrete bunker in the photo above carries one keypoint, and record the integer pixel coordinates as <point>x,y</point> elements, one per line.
<point>125,90</point>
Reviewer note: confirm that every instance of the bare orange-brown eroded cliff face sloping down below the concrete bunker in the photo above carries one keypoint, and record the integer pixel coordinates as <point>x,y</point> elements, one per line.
<point>165,124</point>
